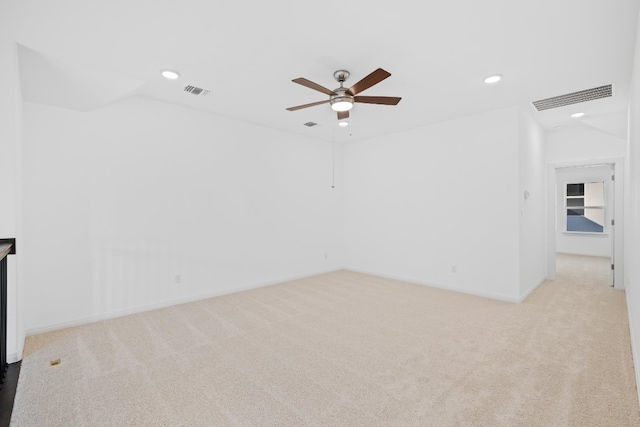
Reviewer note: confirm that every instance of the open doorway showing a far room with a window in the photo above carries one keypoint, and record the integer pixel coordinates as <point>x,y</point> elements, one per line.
<point>585,219</point>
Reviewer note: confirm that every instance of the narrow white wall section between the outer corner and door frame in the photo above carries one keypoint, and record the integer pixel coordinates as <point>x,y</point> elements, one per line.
<point>533,245</point>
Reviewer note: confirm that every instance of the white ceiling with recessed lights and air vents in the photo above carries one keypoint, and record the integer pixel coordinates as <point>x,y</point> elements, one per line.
<point>83,54</point>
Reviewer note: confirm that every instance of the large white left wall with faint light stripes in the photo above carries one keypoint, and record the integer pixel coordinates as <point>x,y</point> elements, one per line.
<point>121,200</point>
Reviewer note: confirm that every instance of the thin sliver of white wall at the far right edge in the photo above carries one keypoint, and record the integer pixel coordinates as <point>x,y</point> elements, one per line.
<point>632,212</point>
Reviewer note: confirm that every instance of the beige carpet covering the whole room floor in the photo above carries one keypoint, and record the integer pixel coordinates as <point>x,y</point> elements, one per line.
<point>345,349</point>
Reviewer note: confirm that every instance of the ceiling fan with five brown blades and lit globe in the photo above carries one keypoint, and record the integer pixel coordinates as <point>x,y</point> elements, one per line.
<point>342,98</point>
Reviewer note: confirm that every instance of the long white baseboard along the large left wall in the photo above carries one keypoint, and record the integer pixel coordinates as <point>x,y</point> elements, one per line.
<point>167,303</point>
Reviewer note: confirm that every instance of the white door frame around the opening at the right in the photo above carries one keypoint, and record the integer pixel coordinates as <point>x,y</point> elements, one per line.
<point>617,164</point>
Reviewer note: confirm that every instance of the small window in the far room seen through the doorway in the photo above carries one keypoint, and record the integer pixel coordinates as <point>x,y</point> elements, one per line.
<point>584,204</point>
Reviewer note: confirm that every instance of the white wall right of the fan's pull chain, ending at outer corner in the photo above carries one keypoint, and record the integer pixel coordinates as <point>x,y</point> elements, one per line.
<point>421,201</point>
